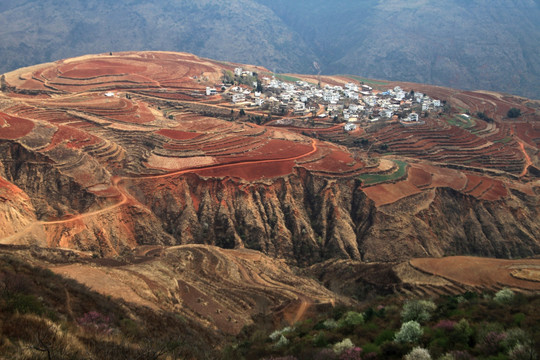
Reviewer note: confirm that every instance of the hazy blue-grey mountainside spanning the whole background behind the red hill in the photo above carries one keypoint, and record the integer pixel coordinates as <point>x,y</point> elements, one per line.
<point>491,45</point>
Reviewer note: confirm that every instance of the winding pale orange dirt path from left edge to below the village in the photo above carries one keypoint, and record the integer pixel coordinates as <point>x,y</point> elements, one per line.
<point>124,196</point>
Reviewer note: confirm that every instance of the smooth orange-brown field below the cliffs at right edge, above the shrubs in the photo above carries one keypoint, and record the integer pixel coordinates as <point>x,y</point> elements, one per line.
<point>485,272</point>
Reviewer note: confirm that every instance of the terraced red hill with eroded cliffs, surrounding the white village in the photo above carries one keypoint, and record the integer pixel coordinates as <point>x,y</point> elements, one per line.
<point>117,151</point>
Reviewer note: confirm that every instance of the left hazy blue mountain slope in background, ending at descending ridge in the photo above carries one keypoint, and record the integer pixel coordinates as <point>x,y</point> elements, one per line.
<point>239,30</point>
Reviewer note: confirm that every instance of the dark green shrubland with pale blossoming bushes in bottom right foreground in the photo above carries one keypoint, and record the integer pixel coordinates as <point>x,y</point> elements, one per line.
<point>466,326</point>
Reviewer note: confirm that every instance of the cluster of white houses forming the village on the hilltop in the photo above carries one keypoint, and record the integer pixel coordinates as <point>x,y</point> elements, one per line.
<point>352,103</point>
